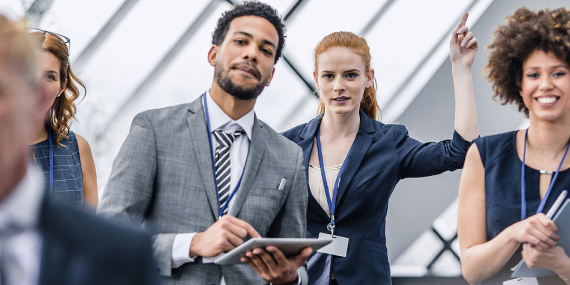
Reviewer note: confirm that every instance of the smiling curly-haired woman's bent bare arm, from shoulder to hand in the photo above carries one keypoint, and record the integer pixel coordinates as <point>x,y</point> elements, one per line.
<point>481,259</point>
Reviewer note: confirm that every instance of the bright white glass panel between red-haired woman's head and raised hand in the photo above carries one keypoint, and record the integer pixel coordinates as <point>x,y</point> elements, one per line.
<point>404,36</point>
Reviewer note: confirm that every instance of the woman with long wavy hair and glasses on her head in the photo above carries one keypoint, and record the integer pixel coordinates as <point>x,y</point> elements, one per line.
<point>65,157</point>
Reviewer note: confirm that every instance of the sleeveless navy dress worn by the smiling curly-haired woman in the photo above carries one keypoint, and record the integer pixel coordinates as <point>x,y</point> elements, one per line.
<point>503,193</point>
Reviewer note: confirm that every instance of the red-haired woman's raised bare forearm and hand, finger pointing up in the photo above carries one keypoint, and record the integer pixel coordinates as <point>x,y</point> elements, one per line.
<point>462,50</point>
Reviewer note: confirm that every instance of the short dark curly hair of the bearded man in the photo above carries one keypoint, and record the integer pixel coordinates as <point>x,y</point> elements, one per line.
<point>250,9</point>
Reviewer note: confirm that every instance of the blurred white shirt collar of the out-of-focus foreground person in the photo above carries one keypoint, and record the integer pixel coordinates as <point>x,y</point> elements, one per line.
<point>22,205</point>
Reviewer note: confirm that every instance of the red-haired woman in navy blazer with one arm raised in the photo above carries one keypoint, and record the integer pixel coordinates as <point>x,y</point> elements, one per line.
<point>354,161</point>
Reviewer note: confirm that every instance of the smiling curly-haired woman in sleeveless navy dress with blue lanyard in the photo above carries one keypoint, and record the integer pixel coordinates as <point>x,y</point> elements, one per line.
<point>499,216</point>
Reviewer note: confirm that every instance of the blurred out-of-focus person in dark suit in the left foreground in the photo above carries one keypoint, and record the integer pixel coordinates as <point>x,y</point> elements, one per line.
<point>43,241</point>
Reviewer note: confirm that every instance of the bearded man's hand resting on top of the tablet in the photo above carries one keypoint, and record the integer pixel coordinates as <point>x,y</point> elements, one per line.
<point>224,235</point>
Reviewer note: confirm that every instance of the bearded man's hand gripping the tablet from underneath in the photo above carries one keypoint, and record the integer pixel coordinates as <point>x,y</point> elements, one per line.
<point>271,265</point>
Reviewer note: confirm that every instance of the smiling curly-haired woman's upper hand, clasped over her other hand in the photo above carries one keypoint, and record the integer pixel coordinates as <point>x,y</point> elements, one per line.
<point>538,230</point>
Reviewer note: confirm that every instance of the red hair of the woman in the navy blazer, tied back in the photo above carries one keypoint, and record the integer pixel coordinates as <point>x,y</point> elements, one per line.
<point>358,44</point>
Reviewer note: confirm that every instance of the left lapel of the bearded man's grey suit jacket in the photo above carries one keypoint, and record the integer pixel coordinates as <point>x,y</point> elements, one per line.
<point>200,142</point>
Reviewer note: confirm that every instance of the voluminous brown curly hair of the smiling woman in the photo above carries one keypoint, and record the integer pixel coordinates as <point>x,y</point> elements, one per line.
<point>525,32</point>
